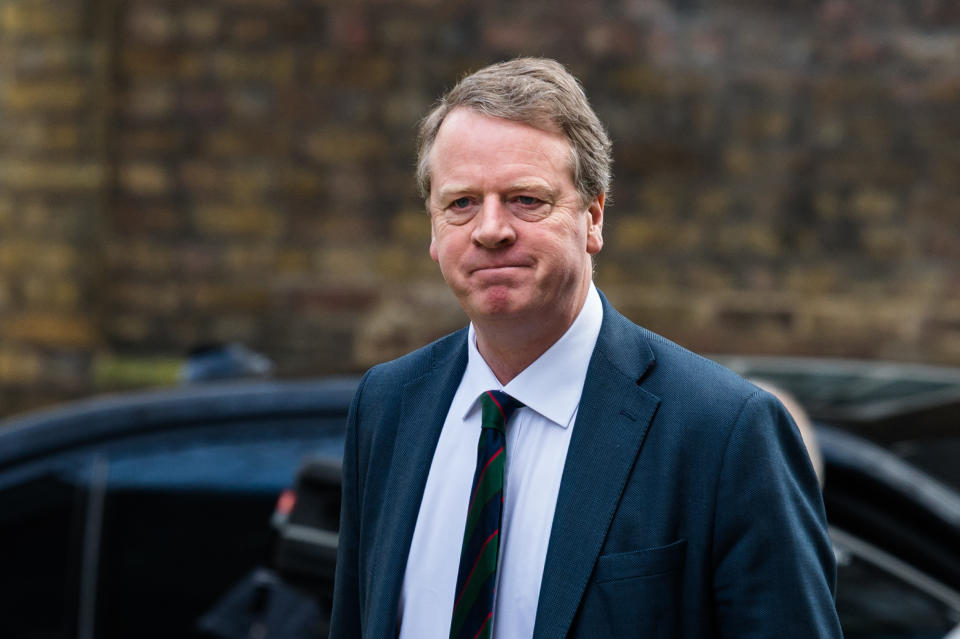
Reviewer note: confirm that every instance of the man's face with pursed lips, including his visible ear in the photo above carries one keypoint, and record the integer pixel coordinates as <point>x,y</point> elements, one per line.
<point>510,231</point>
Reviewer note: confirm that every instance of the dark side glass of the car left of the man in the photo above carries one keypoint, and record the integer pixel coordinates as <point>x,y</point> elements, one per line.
<point>158,525</point>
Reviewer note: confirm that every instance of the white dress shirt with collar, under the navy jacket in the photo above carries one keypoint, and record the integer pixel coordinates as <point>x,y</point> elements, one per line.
<point>537,439</point>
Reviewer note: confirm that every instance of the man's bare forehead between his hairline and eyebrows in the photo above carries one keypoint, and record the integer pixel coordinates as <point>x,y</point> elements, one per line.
<point>472,143</point>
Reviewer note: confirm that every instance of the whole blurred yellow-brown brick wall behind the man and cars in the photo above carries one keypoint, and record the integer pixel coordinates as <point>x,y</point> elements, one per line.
<point>177,173</point>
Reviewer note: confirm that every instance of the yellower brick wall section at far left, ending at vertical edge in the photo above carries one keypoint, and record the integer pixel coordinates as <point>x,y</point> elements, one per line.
<point>53,90</point>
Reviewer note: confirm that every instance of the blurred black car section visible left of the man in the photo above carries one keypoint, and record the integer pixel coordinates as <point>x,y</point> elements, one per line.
<point>130,516</point>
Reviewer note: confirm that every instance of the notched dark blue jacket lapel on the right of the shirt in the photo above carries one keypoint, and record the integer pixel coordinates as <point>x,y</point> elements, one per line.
<point>612,422</point>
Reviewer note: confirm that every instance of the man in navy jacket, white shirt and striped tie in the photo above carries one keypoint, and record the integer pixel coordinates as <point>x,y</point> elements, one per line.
<point>647,492</point>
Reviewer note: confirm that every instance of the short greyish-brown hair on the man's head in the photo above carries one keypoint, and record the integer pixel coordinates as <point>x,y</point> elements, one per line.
<point>535,91</point>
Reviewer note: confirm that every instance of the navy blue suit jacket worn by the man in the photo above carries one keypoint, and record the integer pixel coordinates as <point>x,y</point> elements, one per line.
<point>687,508</point>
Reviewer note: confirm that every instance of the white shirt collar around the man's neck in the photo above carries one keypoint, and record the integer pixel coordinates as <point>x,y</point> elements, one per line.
<point>552,384</point>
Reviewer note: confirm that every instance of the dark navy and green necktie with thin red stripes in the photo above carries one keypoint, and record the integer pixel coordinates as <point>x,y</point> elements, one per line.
<point>473,602</point>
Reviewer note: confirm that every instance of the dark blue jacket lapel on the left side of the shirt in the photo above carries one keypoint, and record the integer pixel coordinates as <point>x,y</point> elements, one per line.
<point>423,409</point>
